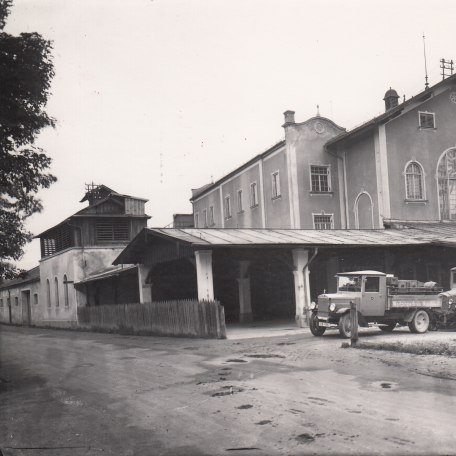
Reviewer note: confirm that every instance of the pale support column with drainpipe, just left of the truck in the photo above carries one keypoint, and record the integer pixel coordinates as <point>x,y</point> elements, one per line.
<point>302,287</point>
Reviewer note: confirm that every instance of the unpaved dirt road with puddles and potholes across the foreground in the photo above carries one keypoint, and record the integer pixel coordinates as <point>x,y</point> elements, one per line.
<point>73,393</point>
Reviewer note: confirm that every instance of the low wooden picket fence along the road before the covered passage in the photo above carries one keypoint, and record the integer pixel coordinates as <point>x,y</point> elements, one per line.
<point>189,318</point>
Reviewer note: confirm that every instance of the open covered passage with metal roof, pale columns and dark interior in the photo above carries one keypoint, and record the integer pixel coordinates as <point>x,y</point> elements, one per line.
<point>263,274</point>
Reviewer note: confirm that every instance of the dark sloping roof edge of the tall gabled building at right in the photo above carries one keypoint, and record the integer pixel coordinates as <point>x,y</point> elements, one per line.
<point>366,126</point>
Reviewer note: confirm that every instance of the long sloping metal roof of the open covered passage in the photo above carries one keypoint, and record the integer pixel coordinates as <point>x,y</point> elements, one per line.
<point>214,238</point>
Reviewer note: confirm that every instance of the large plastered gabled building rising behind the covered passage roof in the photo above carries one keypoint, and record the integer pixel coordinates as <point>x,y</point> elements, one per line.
<point>398,166</point>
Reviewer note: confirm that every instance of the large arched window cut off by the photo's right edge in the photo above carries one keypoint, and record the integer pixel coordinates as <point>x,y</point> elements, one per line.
<point>446,176</point>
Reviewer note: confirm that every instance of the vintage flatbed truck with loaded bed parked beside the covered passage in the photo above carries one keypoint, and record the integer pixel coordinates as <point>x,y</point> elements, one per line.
<point>383,300</point>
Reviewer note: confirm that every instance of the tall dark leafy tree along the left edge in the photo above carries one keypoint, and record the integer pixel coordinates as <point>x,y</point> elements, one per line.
<point>26,71</point>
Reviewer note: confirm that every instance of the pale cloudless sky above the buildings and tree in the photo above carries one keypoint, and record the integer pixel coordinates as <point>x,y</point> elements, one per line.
<point>155,97</point>
